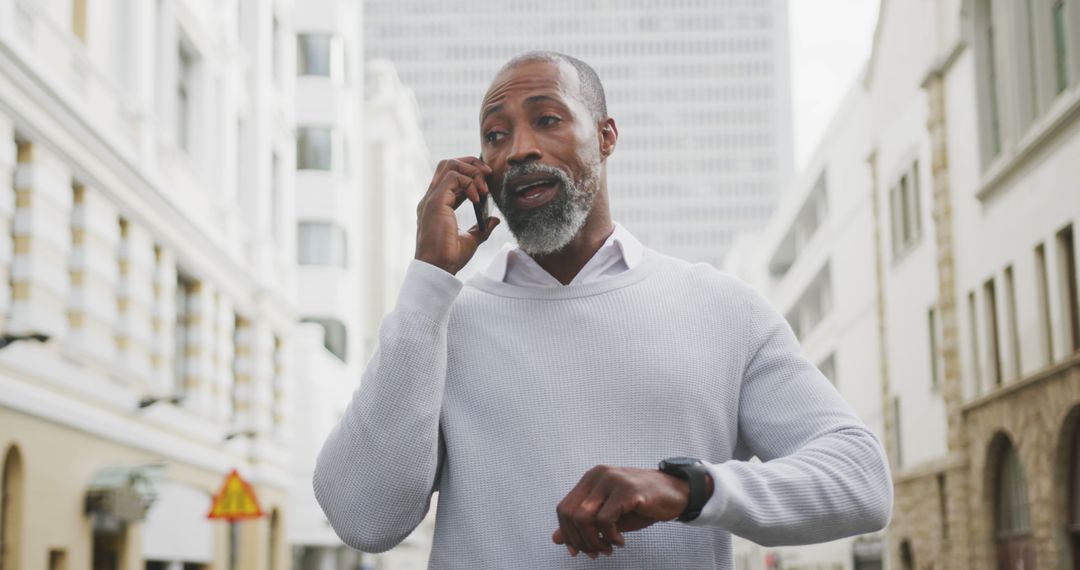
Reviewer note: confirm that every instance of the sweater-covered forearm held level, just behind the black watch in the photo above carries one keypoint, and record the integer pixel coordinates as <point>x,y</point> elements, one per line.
<point>838,486</point>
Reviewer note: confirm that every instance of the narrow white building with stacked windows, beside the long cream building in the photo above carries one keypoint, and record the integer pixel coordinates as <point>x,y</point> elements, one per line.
<point>330,87</point>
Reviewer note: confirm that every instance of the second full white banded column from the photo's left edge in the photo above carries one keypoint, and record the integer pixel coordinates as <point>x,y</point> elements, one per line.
<point>94,273</point>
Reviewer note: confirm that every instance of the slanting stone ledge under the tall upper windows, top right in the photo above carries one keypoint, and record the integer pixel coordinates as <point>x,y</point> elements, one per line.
<point>1065,108</point>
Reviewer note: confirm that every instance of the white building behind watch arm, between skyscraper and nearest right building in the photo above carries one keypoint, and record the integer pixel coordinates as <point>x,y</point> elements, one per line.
<point>812,262</point>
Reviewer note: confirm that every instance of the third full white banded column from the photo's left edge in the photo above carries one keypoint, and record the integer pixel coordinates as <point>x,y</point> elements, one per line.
<point>136,303</point>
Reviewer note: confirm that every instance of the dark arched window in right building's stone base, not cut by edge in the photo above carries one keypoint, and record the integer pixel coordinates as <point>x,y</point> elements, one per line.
<point>1012,519</point>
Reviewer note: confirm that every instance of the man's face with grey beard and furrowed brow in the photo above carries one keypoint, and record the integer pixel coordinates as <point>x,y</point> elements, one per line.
<point>543,143</point>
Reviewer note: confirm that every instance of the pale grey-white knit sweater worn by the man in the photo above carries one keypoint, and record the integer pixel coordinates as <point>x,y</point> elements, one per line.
<point>501,398</point>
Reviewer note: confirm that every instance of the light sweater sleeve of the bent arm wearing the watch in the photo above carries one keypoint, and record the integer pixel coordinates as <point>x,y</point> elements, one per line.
<point>823,474</point>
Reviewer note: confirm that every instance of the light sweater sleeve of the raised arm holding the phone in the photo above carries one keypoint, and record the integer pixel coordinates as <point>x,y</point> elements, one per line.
<point>379,468</point>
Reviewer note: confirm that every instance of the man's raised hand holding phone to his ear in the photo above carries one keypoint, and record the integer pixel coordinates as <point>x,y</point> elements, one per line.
<point>439,241</point>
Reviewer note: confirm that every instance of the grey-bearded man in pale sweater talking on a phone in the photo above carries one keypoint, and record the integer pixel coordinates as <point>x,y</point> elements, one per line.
<point>539,398</point>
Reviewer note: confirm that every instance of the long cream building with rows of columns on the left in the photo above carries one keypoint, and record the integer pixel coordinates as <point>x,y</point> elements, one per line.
<point>146,322</point>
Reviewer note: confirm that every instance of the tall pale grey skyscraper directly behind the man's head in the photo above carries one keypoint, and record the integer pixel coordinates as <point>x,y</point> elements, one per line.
<point>699,89</point>
